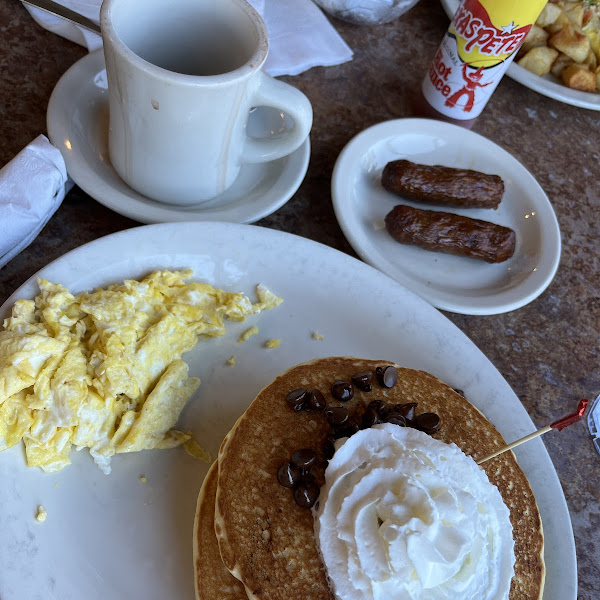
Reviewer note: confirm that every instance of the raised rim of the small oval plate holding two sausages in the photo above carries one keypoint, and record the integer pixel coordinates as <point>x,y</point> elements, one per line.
<point>405,126</point>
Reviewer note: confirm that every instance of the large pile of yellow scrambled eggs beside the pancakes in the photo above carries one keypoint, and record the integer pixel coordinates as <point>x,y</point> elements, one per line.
<point>103,370</point>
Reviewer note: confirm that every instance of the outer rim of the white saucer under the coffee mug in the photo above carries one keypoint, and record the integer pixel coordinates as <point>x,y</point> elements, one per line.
<point>134,205</point>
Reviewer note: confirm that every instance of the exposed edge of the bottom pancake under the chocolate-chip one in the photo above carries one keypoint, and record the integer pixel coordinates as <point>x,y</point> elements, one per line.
<point>212,580</point>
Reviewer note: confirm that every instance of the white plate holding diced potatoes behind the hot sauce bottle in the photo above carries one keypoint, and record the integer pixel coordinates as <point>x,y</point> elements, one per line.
<point>548,85</point>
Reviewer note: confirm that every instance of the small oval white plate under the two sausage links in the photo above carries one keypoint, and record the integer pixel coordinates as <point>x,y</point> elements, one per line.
<point>454,283</point>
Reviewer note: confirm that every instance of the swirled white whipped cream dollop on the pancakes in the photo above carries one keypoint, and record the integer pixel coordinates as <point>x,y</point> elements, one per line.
<point>403,516</point>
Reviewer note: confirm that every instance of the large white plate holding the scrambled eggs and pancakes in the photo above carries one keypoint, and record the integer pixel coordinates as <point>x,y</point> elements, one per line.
<point>114,537</point>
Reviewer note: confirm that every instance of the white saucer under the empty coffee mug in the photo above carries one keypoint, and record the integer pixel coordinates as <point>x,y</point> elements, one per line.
<point>77,123</point>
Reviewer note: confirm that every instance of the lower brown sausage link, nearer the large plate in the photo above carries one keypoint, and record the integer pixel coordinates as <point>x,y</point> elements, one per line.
<point>450,233</point>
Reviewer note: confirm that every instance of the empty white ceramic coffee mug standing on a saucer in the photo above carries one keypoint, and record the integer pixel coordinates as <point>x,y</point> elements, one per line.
<point>183,76</point>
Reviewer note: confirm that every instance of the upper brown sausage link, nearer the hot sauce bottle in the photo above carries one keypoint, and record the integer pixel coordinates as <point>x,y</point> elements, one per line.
<point>444,186</point>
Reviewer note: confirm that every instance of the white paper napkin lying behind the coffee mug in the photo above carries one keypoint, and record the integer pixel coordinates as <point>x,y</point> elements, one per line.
<point>300,36</point>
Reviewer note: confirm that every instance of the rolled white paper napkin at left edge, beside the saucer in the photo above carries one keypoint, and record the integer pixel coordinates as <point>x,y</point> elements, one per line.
<point>32,186</point>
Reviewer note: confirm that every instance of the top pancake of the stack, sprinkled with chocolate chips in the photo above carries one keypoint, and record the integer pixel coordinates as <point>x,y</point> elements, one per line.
<point>266,538</point>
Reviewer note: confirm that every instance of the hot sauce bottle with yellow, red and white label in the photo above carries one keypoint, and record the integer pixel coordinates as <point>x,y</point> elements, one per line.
<point>478,47</point>
